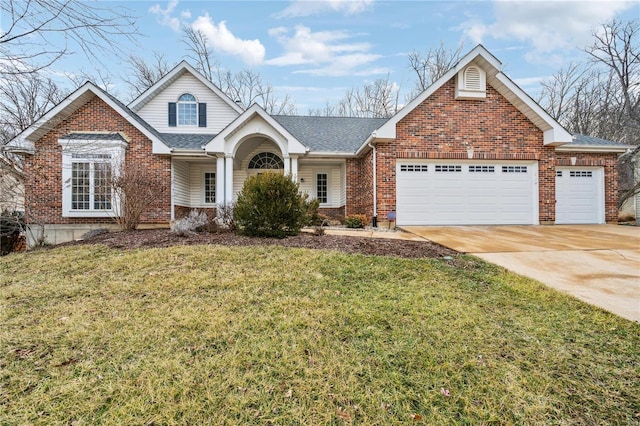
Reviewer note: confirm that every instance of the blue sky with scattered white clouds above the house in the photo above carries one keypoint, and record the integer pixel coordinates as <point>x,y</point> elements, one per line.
<point>316,50</point>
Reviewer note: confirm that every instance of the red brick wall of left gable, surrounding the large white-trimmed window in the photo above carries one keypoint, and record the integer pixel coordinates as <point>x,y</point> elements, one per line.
<point>43,184</point>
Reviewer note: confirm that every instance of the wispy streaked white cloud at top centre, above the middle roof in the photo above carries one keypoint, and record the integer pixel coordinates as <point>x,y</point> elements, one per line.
<point>329,51</point>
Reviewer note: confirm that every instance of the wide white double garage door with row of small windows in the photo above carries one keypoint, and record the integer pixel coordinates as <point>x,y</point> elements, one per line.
<point>466,192</point>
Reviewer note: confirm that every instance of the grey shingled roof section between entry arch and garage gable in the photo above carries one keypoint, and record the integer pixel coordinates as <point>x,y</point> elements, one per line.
<point>330,134</point>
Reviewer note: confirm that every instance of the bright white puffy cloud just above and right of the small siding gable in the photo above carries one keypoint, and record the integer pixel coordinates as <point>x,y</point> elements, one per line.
<point>222,40</point>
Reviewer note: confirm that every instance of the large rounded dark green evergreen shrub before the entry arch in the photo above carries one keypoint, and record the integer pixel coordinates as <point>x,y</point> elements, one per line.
<point>271,205</point>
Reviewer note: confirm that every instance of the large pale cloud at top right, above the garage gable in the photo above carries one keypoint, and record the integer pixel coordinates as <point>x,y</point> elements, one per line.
<point>547,26</point>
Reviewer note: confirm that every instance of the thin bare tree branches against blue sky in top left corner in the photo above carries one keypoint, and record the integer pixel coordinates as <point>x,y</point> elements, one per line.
<point>29,40</point>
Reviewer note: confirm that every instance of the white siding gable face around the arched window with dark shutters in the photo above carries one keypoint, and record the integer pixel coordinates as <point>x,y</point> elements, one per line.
<point>219,113</point>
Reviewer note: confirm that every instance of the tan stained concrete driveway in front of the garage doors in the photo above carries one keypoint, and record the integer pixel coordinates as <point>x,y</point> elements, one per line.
<point>598,264</point>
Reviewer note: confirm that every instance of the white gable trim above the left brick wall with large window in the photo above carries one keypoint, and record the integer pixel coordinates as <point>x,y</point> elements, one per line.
<point>24,142</point>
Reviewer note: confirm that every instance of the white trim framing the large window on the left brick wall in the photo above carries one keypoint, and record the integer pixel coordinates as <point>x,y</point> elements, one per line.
<point>116,149</point>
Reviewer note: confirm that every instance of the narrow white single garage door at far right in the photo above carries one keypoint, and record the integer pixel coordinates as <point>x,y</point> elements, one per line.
<point>579,195</point>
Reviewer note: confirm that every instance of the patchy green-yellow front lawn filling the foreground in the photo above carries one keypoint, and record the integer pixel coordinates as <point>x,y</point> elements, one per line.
<point>272,335</point>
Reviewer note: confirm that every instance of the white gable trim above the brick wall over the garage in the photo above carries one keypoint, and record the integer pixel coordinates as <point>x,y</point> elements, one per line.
<point>554,133</point>
